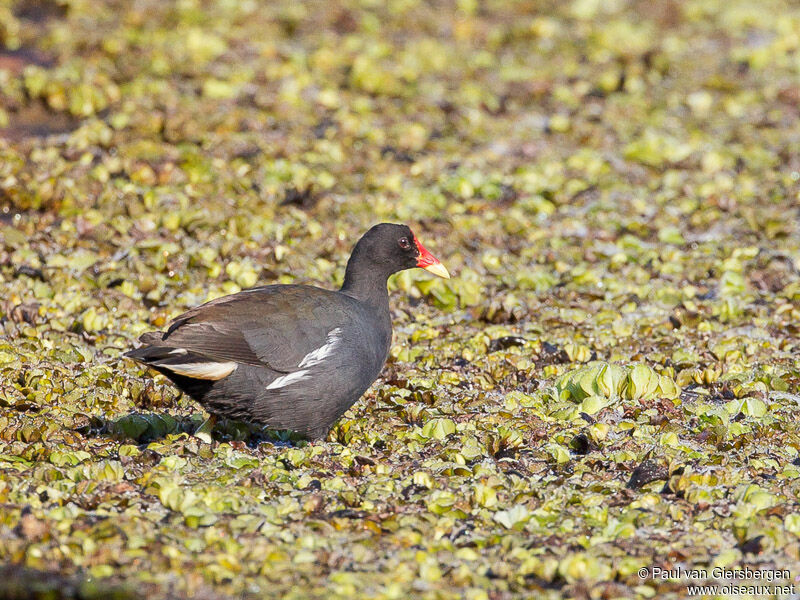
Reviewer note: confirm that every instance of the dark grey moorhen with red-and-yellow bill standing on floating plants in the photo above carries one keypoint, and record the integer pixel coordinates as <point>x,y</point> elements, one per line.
<point>291,357</point>
